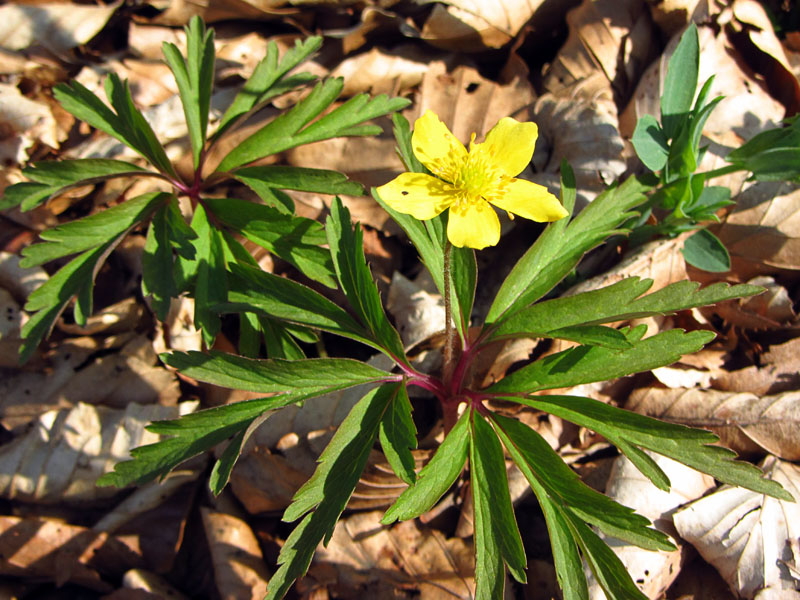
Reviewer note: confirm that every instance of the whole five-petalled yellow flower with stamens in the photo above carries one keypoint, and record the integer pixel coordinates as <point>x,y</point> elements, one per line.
<point>468,182</point>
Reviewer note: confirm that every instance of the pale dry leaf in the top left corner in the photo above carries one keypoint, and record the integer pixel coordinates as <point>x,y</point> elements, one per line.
<point>58,27</point>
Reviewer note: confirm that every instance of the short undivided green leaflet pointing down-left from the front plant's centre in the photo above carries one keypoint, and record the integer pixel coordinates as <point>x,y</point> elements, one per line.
<point>435,478</point>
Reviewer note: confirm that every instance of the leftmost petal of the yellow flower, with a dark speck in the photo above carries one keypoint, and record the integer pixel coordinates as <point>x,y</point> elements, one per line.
<point>417,194</point>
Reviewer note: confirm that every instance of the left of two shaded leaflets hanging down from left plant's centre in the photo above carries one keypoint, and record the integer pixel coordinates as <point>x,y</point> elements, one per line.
<point>157,265</point>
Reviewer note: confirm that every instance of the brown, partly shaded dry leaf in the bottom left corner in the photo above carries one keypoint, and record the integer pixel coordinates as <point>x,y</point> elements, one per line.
<point>51,550</point>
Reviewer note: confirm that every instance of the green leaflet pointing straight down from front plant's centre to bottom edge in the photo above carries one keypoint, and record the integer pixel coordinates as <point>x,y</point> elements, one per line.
<point>492,501</point>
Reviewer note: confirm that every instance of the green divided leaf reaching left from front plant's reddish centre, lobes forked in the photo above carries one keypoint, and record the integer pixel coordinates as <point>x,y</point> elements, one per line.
<point>291,381</point>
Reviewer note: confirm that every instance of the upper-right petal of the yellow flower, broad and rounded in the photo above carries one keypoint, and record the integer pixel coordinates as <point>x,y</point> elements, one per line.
<point>509,145</point>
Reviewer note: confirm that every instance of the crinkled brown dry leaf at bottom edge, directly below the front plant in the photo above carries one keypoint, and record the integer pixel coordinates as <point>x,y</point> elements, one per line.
<point>402,561</point>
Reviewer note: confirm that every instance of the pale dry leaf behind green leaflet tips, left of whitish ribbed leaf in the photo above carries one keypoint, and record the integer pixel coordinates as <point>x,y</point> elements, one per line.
<point>653,572</point>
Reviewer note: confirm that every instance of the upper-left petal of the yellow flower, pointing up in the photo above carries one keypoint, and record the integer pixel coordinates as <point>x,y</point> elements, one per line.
<point>436,147</point>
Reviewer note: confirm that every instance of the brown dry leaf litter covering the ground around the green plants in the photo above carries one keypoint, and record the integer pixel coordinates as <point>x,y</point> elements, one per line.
<point>82,402</point>
